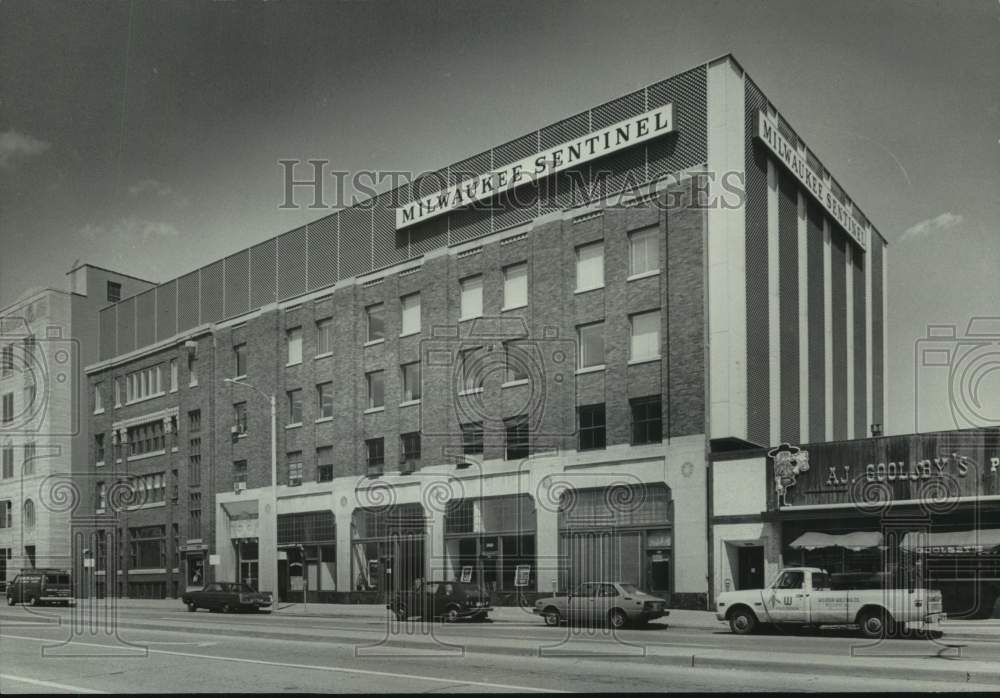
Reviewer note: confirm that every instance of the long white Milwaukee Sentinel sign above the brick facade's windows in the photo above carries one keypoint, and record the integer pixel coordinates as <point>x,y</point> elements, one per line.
<point>629,132</point>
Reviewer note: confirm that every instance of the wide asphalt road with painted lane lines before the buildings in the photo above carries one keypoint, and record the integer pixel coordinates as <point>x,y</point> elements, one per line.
<point>153,650</point>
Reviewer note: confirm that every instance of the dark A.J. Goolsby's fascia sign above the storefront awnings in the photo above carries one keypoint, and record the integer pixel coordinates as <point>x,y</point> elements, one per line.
<point>934,467</point>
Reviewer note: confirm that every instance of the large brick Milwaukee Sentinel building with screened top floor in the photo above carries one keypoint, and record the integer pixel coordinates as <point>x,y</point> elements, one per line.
<point>512,371</point>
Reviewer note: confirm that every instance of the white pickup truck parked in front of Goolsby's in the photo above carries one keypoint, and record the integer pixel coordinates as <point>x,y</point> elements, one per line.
<point>803,596</point>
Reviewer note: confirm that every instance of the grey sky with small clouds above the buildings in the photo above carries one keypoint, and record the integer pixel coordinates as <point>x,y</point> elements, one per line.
<point>146,135</point>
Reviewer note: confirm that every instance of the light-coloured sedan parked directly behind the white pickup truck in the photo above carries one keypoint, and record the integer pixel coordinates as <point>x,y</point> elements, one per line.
<point>616,603</point>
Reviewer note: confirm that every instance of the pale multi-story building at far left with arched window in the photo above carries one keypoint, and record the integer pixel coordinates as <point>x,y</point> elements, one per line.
<point>46,337</point>
